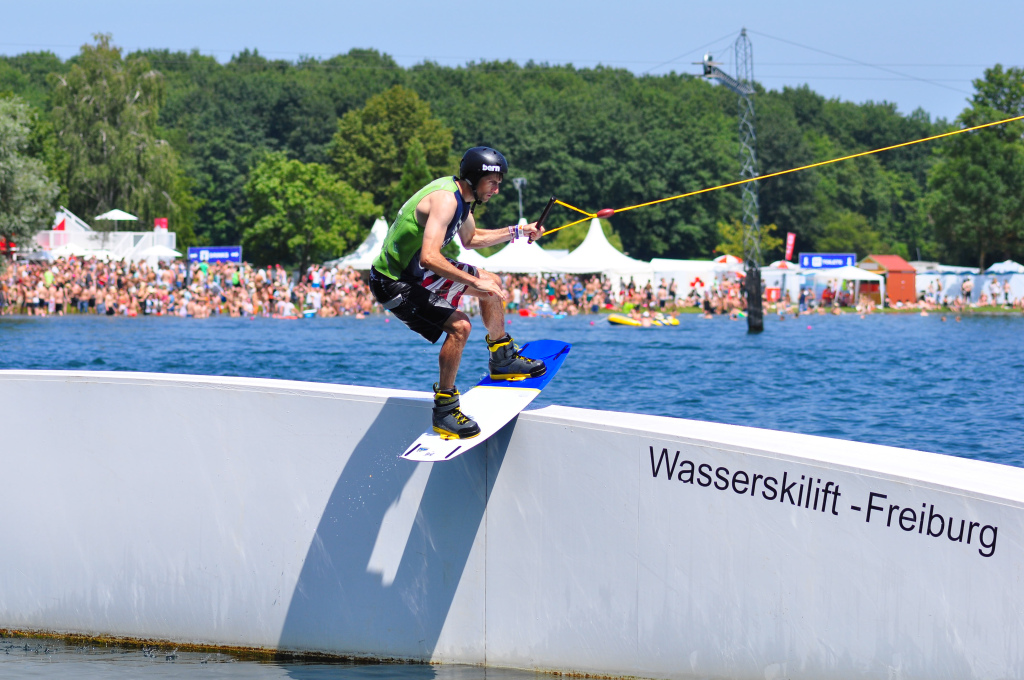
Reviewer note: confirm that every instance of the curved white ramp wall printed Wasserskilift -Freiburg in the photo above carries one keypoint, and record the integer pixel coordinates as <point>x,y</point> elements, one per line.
<point>276,515</point>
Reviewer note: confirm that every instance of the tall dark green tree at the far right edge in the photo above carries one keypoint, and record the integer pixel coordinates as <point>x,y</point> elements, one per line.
<point>977,201</point>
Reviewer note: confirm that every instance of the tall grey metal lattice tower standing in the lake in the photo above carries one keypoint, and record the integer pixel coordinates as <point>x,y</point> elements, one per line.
<point>743,86</point>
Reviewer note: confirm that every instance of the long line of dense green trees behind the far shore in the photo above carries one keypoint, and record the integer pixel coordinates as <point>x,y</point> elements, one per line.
<point>295,160</point>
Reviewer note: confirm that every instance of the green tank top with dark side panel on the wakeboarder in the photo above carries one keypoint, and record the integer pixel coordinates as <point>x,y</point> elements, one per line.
<point>400,257</point>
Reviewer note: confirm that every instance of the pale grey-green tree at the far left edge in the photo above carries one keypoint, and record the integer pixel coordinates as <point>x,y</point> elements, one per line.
<point>26,193</point>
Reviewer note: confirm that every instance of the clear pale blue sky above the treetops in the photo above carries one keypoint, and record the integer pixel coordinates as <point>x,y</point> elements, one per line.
<point>920,55</point>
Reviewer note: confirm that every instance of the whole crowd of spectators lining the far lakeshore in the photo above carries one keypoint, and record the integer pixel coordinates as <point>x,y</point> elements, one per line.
<point>202,290</point>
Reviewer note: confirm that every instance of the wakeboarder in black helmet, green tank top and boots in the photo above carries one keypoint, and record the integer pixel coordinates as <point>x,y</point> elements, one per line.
<point>422,288</point>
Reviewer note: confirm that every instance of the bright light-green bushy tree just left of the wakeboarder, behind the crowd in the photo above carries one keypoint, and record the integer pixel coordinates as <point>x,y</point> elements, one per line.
<point>302,214</point>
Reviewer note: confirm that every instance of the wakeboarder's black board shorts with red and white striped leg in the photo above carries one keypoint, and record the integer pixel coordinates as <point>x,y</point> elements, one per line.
<point>423,309</point>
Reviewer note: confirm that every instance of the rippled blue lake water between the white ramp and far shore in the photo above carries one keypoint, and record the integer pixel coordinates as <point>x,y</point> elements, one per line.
<point>909,381</point>
